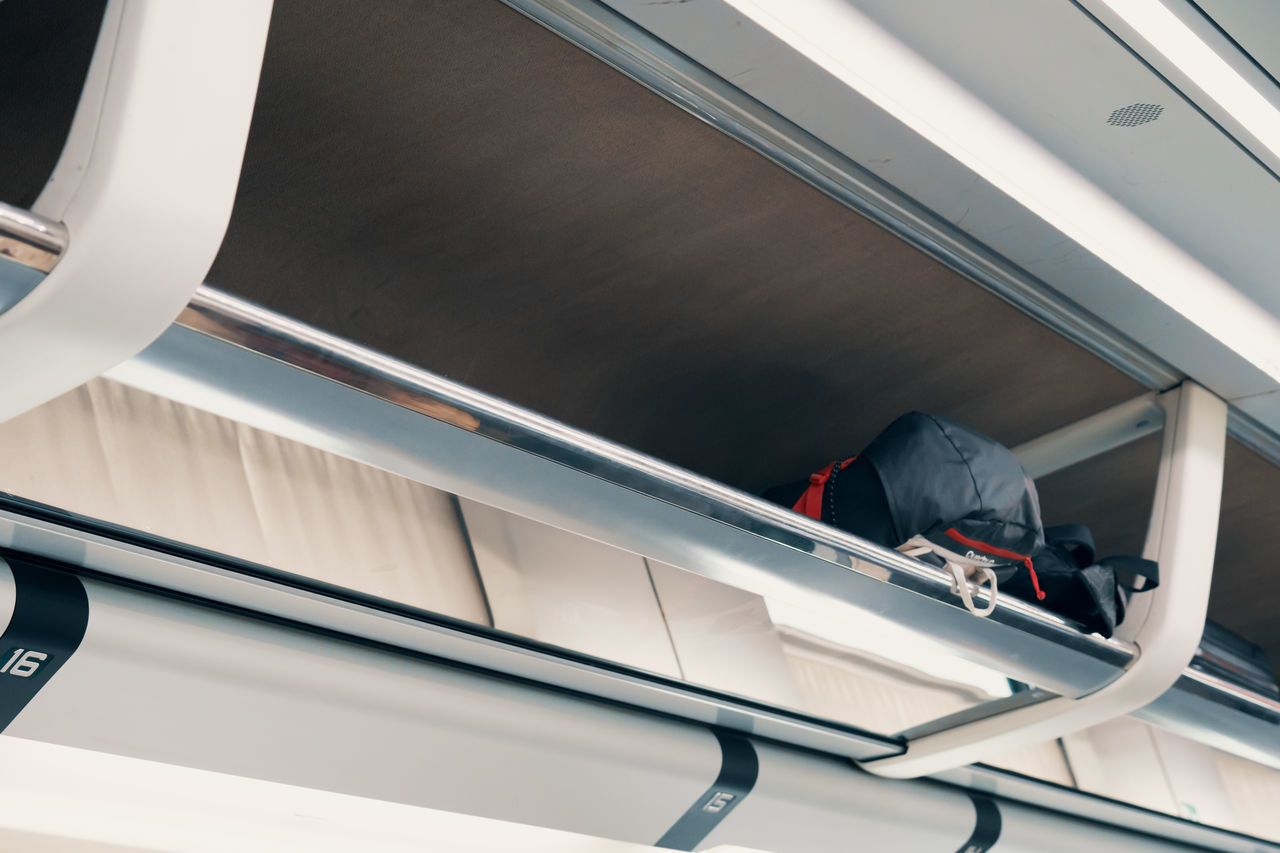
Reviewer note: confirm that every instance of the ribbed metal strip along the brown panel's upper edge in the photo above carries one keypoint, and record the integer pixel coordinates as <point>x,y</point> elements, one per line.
<point>680,80</point>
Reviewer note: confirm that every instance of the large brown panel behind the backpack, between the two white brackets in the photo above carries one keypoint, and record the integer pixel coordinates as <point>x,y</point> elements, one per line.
<point>452,184</point>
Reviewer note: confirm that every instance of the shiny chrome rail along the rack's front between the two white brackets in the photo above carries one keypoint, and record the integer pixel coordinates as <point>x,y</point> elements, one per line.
<point>239,322</point>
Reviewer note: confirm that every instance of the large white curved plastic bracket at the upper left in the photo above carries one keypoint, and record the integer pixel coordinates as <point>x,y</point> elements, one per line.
<point>145,188</point>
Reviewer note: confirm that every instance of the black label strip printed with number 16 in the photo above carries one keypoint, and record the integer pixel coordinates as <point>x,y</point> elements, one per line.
<point>51,615</point>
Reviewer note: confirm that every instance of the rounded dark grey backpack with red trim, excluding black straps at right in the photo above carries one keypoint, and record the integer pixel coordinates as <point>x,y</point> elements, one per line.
<point>935,490</point>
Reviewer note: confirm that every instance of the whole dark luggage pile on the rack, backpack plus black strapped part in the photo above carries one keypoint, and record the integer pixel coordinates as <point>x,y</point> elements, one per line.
<point>936,490</point>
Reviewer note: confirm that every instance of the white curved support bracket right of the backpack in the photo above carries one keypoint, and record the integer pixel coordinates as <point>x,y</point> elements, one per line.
<point>1165,624</point>
